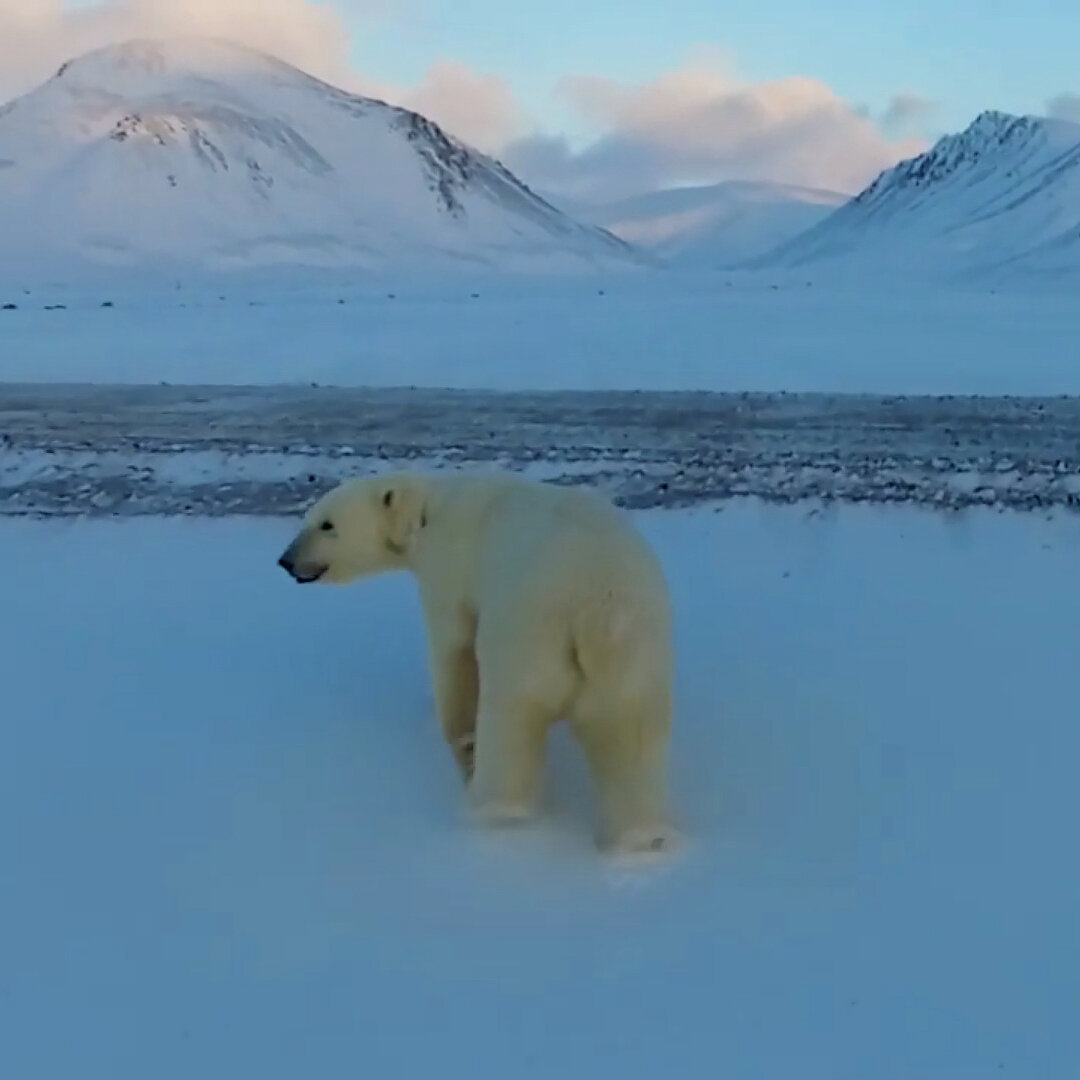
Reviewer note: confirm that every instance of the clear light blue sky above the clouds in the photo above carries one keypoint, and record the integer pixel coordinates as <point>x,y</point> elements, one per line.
<point>965,55</point>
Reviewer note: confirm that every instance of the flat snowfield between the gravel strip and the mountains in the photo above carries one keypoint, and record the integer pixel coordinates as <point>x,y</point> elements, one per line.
<point>649,331</point>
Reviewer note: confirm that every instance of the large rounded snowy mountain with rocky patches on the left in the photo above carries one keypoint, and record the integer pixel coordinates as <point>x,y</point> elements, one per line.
<point>204,154</point>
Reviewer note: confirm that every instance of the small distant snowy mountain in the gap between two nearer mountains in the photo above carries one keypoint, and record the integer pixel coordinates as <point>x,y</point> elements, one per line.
<point>718,226</point>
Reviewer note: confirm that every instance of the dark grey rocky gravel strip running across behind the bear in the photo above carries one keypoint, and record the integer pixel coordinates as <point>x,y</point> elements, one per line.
<point>101,451</point>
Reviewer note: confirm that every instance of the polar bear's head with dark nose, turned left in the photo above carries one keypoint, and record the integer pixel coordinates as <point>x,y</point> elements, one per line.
<point>362,528</point>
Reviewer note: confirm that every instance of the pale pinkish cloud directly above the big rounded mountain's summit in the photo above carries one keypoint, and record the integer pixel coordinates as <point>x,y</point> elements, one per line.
<point>37,36</point>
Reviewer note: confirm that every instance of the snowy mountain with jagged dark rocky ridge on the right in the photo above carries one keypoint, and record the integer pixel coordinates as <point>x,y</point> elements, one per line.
<point>1003,196</point>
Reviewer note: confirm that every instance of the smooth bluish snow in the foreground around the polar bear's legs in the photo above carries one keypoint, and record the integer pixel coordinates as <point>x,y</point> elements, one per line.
<point>233,843</point>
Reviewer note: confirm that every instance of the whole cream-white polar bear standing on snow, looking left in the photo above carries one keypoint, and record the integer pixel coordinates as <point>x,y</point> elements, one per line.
<point>542,603</point>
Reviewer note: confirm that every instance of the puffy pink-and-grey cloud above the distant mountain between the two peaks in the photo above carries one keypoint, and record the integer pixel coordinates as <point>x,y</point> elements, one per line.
<point>703,125</point>
